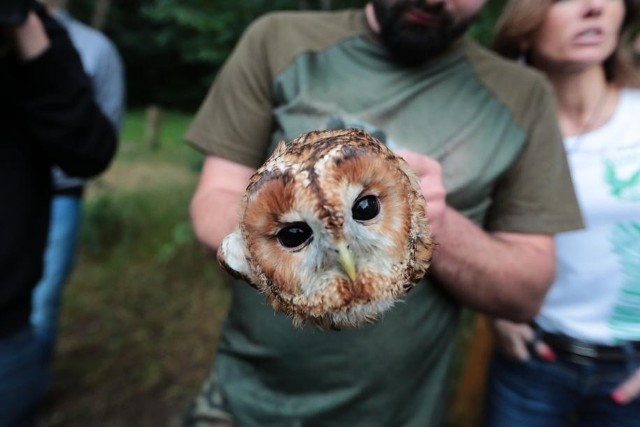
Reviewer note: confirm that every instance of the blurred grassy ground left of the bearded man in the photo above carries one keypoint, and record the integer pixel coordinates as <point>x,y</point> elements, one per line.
<point>143,307</point>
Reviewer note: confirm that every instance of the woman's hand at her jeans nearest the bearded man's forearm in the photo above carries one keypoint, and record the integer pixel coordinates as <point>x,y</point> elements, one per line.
<point>516,339</point>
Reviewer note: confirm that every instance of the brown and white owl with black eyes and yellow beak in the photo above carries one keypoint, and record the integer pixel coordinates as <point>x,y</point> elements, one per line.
<point>333,230</point>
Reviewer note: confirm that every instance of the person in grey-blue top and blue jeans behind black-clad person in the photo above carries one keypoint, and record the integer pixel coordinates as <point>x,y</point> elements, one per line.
<point>102,64</point>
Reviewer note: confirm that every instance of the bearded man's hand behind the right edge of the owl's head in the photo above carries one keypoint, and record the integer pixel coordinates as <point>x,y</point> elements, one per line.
<point>429,173</point>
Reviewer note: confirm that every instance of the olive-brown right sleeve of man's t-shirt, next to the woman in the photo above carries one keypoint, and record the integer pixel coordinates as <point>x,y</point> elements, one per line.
<point>536,193</point>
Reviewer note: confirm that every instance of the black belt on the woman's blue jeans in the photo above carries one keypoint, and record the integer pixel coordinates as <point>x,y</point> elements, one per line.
<point>576,349</point>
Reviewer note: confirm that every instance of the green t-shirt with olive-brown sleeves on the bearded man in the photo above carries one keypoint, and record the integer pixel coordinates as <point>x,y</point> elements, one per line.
<point>492,126</point>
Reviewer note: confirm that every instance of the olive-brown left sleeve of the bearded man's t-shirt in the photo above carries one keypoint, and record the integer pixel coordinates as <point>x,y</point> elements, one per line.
<point>235,119</point>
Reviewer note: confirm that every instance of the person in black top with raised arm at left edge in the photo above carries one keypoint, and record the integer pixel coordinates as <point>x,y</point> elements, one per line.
<point>47,117</point>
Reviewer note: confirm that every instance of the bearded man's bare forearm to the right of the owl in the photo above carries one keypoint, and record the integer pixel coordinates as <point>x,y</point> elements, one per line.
<point>502,274</point>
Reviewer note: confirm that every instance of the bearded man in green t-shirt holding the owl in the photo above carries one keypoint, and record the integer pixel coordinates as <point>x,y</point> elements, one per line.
<point>487,156</point>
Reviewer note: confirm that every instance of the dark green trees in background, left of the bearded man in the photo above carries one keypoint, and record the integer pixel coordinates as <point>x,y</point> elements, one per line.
<point>173,48</point>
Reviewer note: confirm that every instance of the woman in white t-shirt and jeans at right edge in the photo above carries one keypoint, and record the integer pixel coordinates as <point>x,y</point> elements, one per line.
<point>578,363</point>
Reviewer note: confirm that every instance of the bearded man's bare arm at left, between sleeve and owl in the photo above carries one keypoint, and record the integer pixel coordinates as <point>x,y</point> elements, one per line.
<point>216,202</point>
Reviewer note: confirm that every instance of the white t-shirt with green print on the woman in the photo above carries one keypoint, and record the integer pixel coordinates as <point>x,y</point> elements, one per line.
<point>596,295</point>
